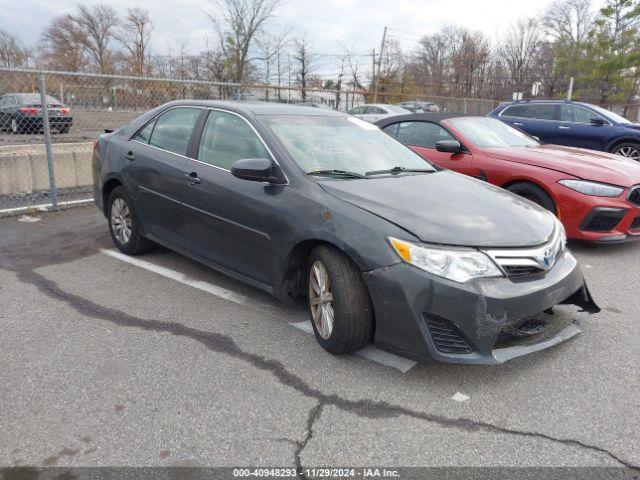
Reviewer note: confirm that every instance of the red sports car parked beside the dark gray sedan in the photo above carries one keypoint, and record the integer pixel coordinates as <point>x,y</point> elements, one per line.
<point>596,195</point>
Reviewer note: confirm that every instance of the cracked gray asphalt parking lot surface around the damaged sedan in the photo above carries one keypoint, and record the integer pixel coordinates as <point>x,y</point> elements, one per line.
<point>167,363</point>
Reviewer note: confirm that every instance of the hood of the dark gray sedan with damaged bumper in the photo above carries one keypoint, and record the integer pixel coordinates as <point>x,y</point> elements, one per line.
<point>448,208</point>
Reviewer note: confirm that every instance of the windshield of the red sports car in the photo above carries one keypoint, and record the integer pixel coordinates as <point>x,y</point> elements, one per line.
<point>491,133</point>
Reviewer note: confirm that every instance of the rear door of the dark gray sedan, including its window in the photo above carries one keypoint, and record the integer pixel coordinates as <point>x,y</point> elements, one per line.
<point>155,158</point>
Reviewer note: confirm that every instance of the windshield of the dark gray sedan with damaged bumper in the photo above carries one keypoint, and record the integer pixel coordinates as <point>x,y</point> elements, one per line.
<point>323,143</point>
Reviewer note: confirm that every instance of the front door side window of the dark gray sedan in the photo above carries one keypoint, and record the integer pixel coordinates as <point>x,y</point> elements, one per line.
<point>227,138</point>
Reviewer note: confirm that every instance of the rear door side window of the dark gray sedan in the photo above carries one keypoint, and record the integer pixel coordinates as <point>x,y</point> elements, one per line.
<point>173,129</point>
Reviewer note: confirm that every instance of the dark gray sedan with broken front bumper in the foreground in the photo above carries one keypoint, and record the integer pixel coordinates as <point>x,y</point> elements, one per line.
<point>299,201</point>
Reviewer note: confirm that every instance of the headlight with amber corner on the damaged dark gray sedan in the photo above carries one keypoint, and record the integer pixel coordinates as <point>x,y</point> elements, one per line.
<point>458,265</point>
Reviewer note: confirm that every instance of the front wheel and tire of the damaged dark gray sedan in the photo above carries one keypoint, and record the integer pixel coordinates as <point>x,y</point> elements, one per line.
<point>349,304</point>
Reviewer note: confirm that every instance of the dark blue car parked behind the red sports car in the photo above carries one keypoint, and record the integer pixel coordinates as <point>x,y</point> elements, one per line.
<point>573,124</point>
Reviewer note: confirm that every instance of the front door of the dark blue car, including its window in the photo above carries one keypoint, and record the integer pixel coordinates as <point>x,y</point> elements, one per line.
<point>575,128</point>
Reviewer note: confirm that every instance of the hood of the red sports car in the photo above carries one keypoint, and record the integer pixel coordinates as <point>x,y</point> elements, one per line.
<point>577,162</point>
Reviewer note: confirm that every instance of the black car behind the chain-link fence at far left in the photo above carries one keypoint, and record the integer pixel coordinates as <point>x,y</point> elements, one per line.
<point>22,113</point>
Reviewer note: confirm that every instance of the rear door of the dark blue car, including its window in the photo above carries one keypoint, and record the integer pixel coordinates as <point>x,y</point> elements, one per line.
<point>537,119</point>
